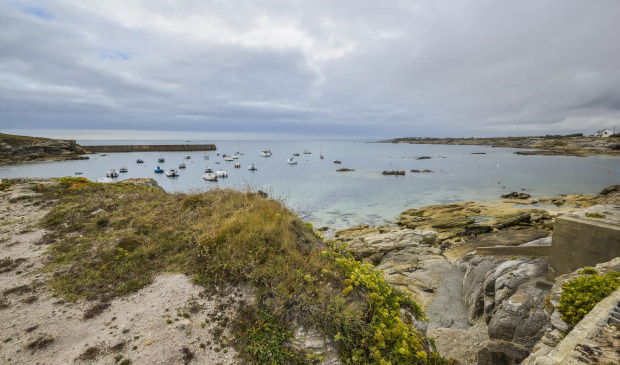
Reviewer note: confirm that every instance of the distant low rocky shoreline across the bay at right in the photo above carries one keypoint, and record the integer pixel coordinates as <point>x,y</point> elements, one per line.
<point>544,145</point>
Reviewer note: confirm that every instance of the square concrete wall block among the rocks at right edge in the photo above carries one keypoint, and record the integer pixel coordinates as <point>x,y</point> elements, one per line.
<point>579,242</point>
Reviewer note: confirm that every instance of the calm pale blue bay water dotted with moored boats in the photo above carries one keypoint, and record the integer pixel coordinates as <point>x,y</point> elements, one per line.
<point>325,197</point>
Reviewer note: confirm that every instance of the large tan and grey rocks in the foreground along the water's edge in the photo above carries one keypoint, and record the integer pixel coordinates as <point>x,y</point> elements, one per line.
<point>483,309</point>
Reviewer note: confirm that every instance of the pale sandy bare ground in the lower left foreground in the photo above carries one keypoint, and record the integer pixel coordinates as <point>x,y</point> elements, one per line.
<point>168,322</point>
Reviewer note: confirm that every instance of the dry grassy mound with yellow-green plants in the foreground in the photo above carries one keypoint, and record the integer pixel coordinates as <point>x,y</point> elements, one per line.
<point>111,240</point>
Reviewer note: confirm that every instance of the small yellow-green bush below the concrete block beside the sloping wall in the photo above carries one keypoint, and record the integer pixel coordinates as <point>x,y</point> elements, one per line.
<point>581,294</point>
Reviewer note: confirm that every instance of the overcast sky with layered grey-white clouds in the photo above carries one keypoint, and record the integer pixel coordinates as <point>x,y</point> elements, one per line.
<point>230,69</point>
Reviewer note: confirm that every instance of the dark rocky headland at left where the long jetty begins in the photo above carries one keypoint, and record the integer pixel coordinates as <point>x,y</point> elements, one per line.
<point>15,149</point>
